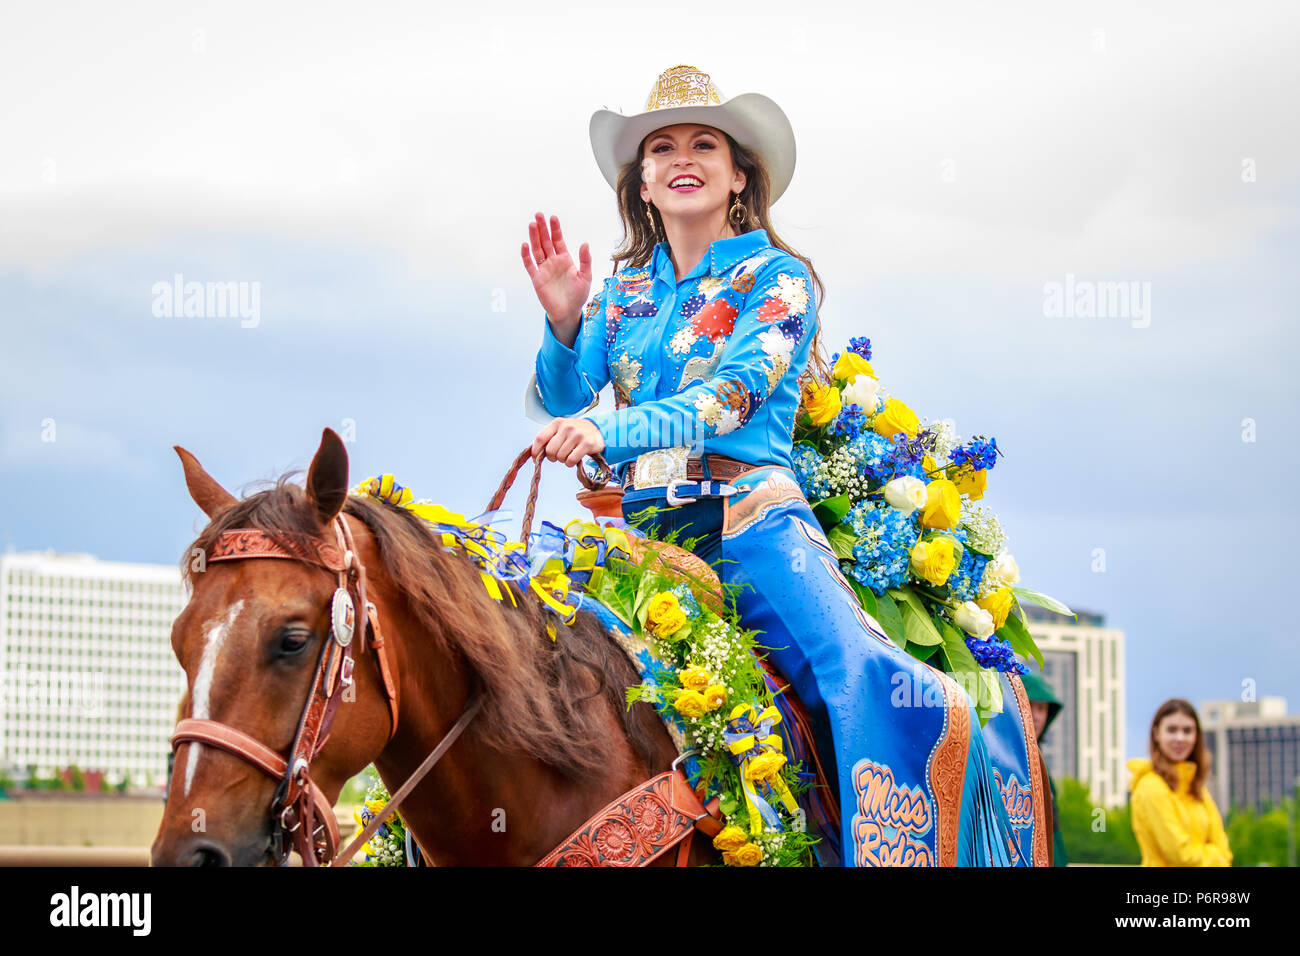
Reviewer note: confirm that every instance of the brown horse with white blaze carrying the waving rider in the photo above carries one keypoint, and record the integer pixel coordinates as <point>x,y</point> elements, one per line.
<point>553,745</point>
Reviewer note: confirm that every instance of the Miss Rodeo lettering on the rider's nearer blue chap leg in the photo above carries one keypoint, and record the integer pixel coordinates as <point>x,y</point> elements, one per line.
<point>890,819</point>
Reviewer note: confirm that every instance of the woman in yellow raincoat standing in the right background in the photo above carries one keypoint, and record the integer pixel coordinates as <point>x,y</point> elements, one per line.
<point>1175,816</point>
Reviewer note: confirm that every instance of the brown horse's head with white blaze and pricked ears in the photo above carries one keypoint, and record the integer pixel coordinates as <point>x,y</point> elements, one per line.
<point>252,642</point>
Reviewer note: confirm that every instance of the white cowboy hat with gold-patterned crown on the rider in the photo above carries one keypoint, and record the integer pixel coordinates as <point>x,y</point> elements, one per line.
<point>683,94</point>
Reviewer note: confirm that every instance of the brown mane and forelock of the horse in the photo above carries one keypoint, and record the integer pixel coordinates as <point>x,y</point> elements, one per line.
<point>539,694</point>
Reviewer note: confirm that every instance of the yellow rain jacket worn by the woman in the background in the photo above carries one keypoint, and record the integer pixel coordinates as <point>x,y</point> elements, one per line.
<point>1176,829</point>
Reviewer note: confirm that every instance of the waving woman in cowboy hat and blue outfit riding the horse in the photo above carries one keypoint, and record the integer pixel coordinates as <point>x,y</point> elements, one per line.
<point>705,332</point>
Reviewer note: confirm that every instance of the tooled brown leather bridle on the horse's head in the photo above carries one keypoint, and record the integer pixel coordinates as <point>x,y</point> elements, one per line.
<point>302,815</point>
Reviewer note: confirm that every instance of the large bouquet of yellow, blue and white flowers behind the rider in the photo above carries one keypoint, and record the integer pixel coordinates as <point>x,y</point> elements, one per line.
<point>898,505</point>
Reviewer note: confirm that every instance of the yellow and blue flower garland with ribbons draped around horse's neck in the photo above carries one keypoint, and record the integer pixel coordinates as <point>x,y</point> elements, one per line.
<point>703,676</point>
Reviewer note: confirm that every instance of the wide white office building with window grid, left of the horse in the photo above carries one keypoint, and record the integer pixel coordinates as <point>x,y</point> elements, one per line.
<point>89,677</point>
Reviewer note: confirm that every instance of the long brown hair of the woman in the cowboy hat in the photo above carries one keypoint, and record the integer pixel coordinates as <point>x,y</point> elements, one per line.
<point>640,237</point>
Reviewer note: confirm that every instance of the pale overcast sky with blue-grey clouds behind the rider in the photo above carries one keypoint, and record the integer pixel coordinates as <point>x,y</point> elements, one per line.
<point>374,170</point>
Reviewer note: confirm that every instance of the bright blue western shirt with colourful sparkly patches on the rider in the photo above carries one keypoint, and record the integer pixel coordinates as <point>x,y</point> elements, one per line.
<point>710,361</point>
